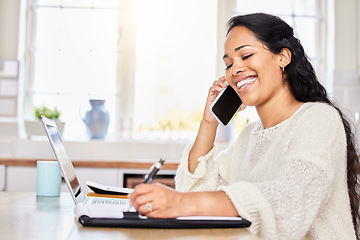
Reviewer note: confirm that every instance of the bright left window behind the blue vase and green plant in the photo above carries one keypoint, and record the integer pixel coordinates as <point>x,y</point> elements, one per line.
<point>72,56</point>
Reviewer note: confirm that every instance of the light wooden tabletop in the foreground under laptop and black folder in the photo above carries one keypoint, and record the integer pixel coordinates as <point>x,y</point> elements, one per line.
<point>23,215</point>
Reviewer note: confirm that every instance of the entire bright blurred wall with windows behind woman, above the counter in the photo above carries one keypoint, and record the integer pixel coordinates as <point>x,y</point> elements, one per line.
<point>152,61</point>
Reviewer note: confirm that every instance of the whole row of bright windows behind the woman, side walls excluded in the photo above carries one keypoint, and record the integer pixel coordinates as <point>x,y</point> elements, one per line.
<point>153,61</point>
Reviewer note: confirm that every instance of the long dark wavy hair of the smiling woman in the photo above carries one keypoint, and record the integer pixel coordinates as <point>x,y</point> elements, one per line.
<point>276,35</point>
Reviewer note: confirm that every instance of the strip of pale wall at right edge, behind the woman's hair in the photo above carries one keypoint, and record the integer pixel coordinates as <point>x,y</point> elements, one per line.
<point>346,73</point>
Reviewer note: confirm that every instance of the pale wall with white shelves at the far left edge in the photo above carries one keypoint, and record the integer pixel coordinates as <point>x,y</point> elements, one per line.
<point>9,21</point>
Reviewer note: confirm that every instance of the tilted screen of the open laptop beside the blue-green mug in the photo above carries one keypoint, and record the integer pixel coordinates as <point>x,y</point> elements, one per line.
<point>64,161</point>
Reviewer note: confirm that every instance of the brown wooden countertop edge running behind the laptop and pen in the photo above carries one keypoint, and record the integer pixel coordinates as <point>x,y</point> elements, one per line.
<point>89,163</point>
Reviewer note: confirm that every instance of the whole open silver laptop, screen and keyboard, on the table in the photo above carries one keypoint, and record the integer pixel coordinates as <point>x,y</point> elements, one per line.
<point>114,206</point>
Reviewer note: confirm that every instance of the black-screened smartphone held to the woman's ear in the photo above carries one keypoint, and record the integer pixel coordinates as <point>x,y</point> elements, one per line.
<point>226,104</point>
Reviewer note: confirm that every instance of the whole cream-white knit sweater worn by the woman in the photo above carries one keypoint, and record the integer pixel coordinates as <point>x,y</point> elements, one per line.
<point>288,180</point>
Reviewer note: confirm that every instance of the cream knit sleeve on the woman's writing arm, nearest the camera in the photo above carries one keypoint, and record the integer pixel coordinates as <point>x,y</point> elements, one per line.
<point>286,206</point>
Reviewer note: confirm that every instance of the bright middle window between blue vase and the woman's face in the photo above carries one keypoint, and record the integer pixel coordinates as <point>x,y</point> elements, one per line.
<point>175,65</point>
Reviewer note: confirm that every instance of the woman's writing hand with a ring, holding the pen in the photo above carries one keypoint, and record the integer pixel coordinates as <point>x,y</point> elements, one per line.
<point>157,201</point>
